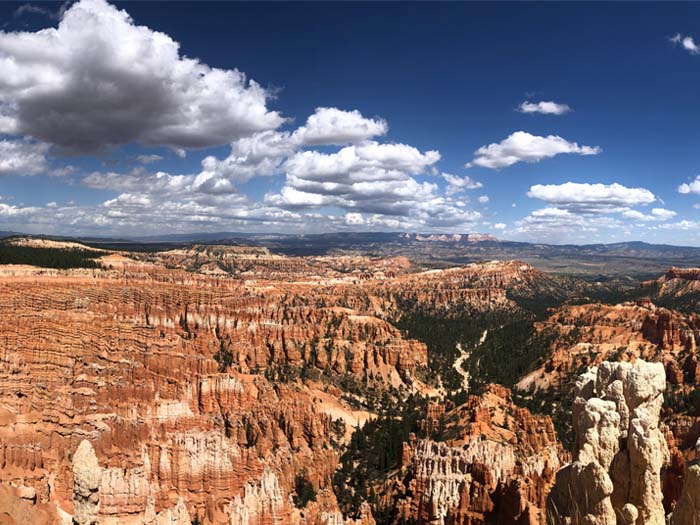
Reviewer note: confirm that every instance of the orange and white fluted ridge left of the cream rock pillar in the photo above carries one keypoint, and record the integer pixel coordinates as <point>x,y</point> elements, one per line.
<point>495,467</point>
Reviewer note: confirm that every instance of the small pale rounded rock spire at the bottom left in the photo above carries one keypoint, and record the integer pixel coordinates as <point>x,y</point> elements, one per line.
<point>87,476</point>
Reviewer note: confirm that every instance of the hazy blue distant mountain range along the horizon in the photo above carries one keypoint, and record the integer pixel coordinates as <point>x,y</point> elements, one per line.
<point>635,258</point>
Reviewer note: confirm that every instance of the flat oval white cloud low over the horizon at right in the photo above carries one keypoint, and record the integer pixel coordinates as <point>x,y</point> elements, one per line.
<point>591,198</point>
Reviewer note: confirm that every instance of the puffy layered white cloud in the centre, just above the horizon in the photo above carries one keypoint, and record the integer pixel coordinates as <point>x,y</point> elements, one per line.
<point>375,185</point>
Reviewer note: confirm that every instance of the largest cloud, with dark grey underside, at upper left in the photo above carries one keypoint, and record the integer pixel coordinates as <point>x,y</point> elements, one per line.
<point>100,80</point>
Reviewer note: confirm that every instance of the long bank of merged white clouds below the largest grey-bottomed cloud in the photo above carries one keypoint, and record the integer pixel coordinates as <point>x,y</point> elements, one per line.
<point>365,184</point>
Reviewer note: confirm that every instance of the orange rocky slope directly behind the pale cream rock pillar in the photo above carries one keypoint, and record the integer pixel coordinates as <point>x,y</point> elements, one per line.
<point>583,336</point>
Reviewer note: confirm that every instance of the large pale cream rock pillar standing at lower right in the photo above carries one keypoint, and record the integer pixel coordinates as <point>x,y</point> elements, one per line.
<point>620,448</point>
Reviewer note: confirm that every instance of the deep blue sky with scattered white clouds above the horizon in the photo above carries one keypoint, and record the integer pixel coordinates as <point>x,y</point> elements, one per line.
<point>541,122</point>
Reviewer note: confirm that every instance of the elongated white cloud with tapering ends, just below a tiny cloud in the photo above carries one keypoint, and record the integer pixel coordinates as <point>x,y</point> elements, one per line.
<point>524,147</point>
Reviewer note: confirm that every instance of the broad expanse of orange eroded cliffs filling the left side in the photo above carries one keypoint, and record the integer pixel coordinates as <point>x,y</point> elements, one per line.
<point>204,395</point>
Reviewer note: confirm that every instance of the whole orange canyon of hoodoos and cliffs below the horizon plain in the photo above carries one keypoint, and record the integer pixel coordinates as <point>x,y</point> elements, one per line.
<point>233,385</point>
